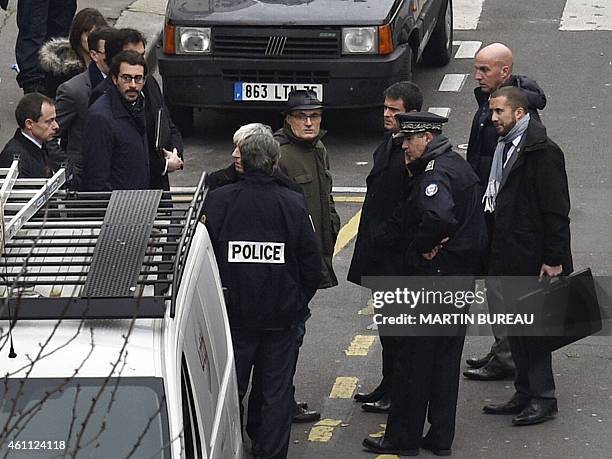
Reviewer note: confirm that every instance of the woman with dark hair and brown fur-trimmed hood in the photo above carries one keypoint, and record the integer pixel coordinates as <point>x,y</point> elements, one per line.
<point>62,58</point>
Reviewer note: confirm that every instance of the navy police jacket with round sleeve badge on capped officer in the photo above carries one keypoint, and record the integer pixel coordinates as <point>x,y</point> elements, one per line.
<point>444,201</point>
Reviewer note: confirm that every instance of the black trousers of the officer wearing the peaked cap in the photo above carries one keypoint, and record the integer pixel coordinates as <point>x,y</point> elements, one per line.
<point>425,384</point>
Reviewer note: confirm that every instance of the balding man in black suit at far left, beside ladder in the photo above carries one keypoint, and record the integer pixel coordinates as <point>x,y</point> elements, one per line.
<point>37,125</point>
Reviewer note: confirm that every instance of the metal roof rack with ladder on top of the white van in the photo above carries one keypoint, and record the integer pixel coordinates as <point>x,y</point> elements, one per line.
<point>95,255</point>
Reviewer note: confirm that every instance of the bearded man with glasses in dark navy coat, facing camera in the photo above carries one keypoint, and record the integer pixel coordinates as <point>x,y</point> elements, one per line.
<point>115,149</point>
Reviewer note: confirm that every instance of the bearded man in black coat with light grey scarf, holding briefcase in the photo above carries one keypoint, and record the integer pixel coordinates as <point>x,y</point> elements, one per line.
<point>528,195</point>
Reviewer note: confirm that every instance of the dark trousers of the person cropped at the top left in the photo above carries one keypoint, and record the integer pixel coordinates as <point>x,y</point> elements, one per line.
<point>39,21</point>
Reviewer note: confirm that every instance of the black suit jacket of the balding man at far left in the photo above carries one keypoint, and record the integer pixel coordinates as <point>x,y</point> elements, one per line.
<point>34,162</point>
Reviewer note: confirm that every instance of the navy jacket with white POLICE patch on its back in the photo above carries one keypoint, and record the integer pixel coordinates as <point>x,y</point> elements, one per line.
<point>268,255</point>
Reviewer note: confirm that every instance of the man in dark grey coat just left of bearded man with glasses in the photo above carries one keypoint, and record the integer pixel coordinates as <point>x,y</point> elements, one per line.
<point>72,102</point>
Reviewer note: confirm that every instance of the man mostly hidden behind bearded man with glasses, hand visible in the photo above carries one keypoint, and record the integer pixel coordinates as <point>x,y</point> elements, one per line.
<point>164,140</point>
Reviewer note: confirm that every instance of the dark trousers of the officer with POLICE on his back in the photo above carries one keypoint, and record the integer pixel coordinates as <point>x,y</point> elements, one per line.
<point>270,355</point>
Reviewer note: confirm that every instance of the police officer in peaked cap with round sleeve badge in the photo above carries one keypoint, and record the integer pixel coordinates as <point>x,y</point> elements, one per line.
<point>445,235</point>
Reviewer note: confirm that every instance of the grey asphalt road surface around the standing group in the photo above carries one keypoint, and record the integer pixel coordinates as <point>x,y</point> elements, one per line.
<point>575,70</point>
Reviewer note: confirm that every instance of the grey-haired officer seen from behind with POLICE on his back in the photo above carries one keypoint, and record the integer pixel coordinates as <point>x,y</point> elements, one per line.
<point>270,264</point>
